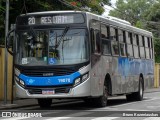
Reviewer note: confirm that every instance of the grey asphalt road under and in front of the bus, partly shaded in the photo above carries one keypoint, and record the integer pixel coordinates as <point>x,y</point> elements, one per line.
<point>118,109</point>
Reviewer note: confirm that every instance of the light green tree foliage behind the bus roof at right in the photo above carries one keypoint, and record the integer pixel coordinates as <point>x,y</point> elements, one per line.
<point>144,14</point>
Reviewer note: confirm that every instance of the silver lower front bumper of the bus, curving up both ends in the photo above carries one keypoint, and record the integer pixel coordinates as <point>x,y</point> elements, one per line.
<point>82,90</point>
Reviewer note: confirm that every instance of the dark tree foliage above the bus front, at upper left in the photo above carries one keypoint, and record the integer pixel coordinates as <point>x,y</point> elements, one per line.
<point>18,7</point>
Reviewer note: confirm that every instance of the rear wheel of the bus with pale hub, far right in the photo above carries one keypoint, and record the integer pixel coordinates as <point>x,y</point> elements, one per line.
<point>137,96</point>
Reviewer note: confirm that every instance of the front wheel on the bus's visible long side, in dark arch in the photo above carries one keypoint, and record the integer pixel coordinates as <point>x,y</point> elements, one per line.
<point>102,100</point>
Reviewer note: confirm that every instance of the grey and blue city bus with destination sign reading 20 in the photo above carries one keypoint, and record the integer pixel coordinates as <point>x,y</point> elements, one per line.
<point>77,54</point>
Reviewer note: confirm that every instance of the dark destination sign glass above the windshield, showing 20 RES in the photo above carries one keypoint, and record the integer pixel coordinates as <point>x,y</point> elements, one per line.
<point>50,19</point>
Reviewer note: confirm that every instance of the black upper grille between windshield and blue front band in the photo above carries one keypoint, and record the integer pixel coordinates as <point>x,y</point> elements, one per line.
<point>45,72</point>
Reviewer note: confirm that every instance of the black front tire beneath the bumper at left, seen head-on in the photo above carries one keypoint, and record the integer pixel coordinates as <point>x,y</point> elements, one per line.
<point>44,103</point>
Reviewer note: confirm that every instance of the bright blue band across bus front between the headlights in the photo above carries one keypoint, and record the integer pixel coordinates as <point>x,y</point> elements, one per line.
<point>49,81</point>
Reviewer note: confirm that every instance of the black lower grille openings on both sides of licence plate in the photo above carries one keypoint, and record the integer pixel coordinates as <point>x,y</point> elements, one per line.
<point>57,90</point>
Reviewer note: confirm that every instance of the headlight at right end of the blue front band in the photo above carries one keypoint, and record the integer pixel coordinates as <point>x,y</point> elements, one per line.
<point>81,79</point>
